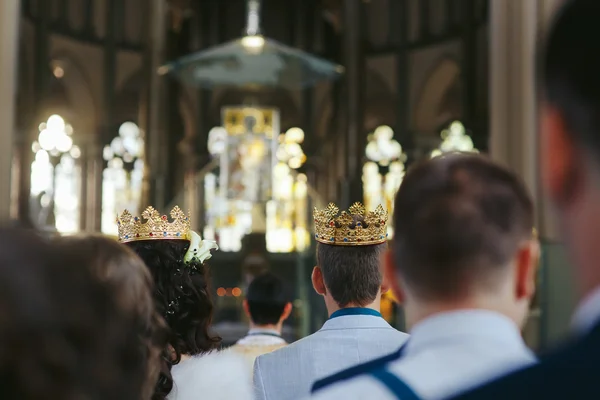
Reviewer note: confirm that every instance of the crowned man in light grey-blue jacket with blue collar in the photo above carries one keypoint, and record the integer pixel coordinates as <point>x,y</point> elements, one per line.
<point>349,278</point>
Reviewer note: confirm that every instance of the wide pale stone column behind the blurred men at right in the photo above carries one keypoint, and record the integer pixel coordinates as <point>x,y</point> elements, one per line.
<point>514,29</point>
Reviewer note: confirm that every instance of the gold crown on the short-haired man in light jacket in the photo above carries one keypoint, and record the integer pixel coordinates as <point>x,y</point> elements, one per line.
<point>352,228</point>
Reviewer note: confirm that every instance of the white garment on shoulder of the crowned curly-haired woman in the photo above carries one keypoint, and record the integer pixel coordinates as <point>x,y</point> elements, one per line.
<point>213,376</point>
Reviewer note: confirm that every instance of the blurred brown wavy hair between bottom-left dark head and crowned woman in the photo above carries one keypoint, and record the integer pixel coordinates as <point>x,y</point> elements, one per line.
<point>131,286</point>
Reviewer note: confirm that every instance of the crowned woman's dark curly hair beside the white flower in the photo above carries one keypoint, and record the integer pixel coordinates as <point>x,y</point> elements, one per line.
<point>182,297</point>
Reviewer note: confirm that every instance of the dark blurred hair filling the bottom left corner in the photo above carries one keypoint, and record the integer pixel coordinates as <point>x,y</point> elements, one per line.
<point>62,335</point>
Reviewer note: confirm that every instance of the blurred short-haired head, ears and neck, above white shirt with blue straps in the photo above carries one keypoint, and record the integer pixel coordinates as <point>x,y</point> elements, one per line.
<point>463,238</point>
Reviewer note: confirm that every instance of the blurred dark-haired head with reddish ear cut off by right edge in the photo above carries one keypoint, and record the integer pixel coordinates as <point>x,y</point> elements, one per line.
<point>570,131</point>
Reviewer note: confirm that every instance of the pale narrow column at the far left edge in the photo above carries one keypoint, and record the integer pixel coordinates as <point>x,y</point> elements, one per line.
<point>9,43</point>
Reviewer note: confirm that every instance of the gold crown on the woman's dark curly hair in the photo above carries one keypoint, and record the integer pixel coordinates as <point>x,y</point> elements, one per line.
<point>156,226</point>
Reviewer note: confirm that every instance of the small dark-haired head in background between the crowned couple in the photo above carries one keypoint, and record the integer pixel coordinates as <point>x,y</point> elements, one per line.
<point>267,302</point>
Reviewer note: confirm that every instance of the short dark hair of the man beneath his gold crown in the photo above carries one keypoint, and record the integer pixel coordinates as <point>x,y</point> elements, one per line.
<point>352,274</point>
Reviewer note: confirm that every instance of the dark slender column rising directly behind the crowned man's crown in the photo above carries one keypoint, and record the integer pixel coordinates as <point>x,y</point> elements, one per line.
<point>353,101</point>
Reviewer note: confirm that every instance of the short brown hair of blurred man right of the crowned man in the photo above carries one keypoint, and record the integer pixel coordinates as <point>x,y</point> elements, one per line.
<point>458,221</point>
